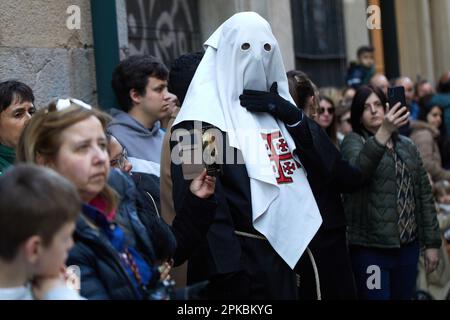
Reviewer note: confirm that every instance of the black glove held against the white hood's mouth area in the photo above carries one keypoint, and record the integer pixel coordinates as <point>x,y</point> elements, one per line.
<point>271,102</point>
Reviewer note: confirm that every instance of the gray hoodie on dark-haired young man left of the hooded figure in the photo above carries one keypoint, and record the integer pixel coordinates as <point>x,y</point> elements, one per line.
<point>141,143</point>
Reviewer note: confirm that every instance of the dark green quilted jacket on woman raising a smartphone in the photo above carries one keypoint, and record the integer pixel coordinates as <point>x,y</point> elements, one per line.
<point>371,213</point>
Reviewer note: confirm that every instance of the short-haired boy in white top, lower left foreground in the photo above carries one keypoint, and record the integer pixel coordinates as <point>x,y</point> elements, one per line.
<point>36,234</point>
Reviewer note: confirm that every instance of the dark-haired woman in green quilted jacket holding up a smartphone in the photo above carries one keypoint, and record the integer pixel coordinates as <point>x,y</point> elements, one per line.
<point>393,215</point>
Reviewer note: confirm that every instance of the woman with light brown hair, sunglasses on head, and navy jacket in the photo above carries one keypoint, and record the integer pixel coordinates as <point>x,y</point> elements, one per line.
<point>116,262</point>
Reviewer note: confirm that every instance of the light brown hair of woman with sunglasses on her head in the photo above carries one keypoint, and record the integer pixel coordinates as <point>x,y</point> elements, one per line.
<point>41,137</point>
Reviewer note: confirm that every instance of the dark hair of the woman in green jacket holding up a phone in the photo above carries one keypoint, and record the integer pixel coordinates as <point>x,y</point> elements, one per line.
<point>358,102</point>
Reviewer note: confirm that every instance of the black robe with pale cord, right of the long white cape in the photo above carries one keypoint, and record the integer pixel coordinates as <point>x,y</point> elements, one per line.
<point>329,176</point>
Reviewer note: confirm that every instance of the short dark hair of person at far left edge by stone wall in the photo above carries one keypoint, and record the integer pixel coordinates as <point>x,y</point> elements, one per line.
<point>12,92</point>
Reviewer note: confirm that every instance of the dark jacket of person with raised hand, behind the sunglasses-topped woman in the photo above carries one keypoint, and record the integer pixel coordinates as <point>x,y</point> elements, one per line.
<point>140,194</point>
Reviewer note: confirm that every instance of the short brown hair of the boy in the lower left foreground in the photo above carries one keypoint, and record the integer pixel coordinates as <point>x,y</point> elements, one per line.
<point>34,200</point>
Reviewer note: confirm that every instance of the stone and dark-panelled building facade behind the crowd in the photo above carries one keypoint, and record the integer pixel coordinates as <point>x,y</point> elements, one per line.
<point>318,36</point>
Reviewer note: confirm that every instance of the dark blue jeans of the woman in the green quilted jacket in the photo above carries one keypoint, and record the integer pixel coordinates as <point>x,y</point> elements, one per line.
<point>385,274</point>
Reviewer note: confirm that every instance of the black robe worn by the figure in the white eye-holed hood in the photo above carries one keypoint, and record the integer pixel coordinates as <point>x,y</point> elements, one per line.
<point>236,266</point>
